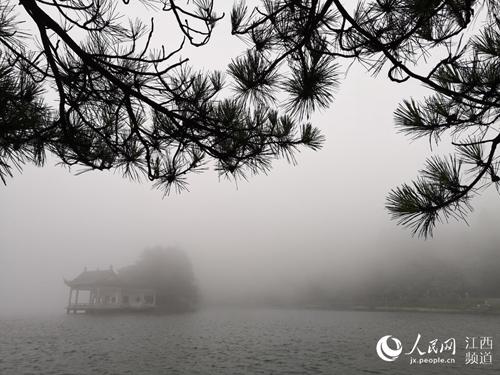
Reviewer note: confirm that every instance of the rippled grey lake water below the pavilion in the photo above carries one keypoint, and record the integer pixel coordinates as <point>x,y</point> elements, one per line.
<point>238,341</point>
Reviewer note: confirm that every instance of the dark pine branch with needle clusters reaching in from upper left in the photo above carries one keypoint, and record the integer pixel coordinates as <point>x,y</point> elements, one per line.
<point>125,102</point>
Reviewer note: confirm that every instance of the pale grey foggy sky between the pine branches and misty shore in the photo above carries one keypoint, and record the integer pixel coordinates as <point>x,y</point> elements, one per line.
<point>322,220</point>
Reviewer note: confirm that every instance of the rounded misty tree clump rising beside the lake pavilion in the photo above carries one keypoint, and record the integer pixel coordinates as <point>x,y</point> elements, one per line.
<point>169,272</point>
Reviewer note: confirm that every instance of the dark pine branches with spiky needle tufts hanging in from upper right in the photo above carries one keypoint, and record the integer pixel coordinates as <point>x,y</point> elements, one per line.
<point>295,47</point>
